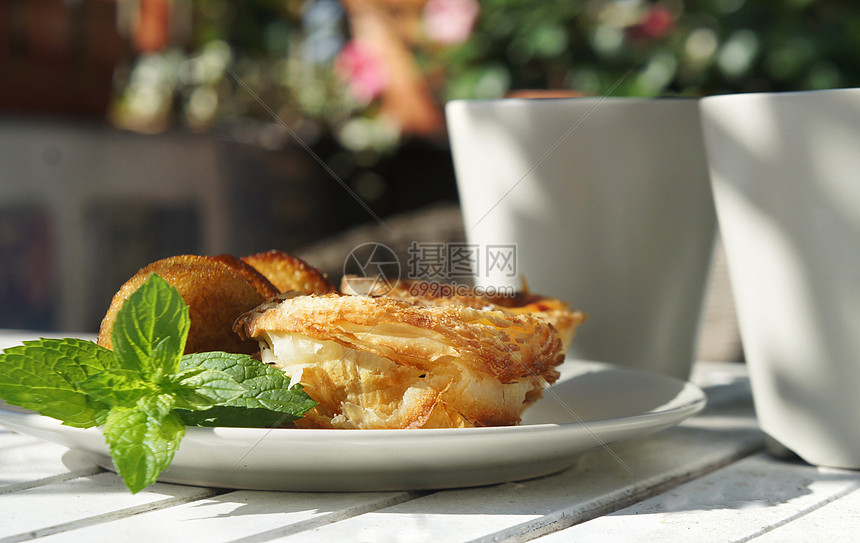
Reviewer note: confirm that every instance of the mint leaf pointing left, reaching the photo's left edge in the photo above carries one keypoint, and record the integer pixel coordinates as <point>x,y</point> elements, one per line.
<point>43,375</point>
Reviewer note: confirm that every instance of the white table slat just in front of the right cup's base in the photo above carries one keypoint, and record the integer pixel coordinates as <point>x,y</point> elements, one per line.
<point>737,503</point>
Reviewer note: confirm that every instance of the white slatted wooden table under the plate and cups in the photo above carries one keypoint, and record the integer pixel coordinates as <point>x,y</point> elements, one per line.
<point>708,479</point>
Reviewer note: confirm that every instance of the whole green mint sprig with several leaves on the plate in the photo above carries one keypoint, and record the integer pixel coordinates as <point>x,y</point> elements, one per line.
<point>145,391</point>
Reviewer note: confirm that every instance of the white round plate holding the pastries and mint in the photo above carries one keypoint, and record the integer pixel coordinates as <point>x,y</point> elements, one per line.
<point>593,404</point>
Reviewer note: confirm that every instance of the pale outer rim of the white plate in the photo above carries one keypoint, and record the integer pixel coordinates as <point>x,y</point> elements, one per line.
<point>462,446</point>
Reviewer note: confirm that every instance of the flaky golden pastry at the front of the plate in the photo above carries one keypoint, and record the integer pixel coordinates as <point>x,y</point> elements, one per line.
<point>385,362</point>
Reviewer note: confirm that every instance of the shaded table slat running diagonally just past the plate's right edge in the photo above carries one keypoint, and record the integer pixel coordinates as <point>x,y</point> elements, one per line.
<point>597,485</point>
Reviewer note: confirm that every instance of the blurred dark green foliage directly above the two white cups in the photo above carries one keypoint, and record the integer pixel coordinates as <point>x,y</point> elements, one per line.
<point>637,48</point>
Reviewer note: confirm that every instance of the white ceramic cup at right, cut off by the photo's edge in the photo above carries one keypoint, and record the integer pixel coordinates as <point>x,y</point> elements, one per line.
<point>786,177</point>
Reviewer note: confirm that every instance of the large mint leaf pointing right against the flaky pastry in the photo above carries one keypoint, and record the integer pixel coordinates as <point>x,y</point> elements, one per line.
<point>268,400</point>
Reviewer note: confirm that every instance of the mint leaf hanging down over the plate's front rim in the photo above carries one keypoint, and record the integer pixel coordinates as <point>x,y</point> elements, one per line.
<point>143,439</point>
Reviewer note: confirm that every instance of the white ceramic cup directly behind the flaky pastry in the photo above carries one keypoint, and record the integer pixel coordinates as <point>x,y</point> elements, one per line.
<point>608,203</point>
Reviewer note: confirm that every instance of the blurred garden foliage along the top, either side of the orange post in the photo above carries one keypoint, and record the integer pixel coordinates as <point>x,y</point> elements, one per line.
<point>284,53</point>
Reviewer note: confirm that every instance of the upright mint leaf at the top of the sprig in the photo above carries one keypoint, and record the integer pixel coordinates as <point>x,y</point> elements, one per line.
<point>150,329</point>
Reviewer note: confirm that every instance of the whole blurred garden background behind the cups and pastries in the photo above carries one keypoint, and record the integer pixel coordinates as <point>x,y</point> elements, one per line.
<point>131,130</point>
